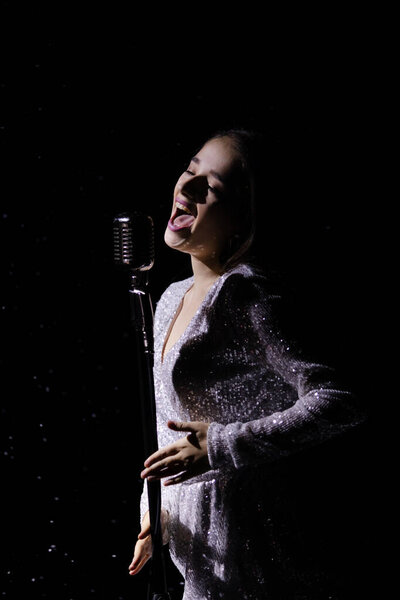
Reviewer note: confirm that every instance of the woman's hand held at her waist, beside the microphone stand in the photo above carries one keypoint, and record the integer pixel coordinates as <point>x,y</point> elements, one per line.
<point>183,459</point>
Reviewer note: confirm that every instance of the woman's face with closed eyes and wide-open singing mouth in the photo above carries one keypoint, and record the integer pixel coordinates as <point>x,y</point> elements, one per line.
<point>201,222</point>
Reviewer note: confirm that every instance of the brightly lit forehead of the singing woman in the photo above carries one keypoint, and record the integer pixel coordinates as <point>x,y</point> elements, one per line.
<point>219,155</point>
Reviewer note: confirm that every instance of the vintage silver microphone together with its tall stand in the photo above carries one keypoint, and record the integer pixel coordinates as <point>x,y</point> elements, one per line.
<point>134,253</point>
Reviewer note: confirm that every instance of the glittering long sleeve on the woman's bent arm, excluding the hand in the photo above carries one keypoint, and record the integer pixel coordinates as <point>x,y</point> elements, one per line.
<point>322,408</point>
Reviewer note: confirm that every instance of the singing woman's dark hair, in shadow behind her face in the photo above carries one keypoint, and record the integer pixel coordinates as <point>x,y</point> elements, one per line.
<point>250,147</point>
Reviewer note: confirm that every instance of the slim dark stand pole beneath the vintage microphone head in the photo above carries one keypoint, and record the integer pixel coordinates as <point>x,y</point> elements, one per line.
<point>142,321</point>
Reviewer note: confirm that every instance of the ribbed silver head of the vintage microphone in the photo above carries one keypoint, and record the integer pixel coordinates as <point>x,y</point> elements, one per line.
<point>133,241</point>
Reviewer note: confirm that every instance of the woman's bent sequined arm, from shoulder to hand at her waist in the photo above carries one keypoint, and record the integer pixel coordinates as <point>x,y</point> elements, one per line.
<point>320,410</point>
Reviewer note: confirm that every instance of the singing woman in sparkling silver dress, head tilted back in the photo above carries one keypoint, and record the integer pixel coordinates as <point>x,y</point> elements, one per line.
<point>234,399</point>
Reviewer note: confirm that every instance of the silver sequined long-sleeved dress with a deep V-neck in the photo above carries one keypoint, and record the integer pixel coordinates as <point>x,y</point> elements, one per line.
<point>231,529</point>
